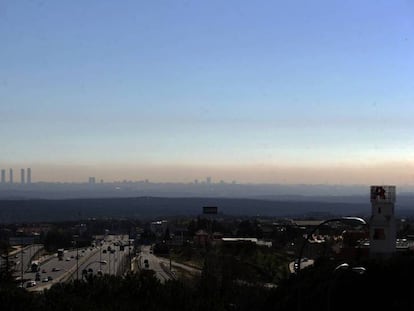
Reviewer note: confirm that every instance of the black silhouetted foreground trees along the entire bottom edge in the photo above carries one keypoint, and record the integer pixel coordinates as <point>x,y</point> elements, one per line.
<point>385,285</point>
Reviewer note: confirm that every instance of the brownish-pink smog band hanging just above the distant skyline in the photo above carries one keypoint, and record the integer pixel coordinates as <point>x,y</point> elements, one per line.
<point>229,174</point>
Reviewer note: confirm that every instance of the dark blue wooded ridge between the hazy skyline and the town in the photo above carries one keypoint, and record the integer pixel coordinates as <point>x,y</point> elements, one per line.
<point>14,211</point>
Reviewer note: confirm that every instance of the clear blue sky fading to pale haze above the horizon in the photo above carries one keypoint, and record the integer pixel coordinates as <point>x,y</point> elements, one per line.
<point>253,91</point>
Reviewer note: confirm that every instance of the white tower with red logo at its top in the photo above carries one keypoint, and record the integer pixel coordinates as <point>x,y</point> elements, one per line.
<point>382,222</point>
